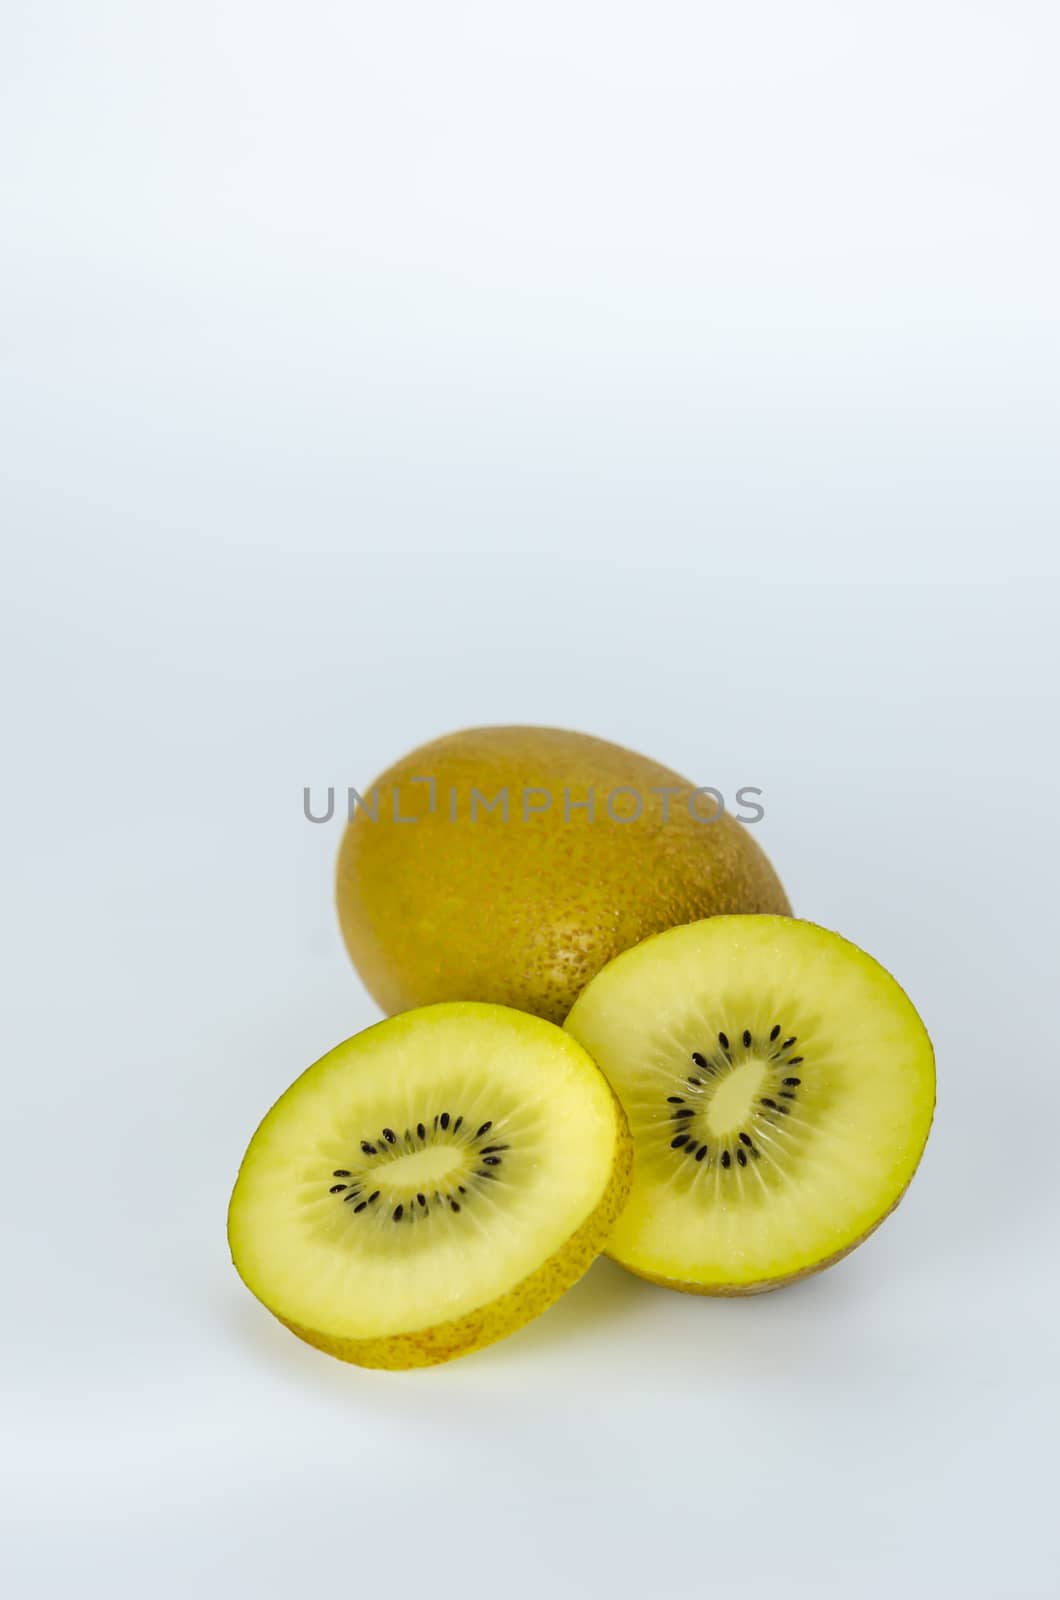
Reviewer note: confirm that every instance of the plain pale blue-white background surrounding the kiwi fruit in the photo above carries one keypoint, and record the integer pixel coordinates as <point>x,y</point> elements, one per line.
<point>683,374</point>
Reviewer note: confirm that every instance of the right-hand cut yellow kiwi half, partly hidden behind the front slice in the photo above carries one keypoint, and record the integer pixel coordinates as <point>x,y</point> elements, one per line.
<point>779,1087</point>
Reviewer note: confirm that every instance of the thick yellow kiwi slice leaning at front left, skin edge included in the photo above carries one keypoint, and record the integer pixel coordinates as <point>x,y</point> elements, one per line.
<point>432,1185</point>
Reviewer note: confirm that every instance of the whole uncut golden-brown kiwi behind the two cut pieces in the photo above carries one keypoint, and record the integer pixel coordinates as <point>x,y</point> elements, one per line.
<point>526,913</point>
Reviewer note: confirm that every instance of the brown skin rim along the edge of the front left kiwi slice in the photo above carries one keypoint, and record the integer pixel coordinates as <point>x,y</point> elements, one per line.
<point>528,1300</point>
